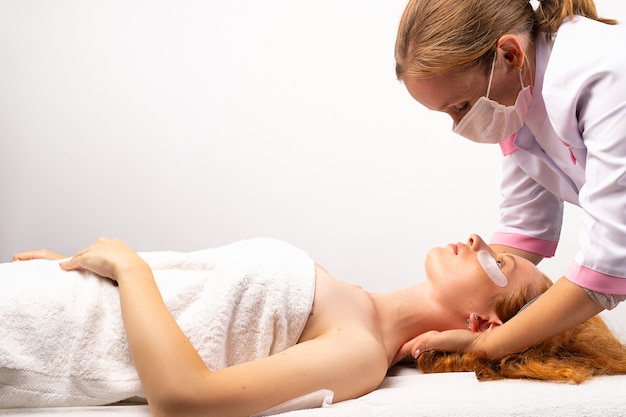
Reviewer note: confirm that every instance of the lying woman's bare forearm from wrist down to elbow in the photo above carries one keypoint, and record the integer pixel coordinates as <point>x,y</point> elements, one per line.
<point>165,359</point>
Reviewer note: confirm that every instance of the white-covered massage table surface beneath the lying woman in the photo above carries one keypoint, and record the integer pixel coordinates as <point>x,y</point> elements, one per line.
<point>408,392</point>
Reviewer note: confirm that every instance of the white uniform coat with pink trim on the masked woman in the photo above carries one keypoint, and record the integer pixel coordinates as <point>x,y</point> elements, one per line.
<point>573,148</point>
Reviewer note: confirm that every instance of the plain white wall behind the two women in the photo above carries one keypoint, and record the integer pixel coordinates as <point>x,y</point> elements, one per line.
<point>187,124</point>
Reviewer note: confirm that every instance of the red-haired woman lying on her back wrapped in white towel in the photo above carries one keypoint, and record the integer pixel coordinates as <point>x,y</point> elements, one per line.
<point>237,330</point>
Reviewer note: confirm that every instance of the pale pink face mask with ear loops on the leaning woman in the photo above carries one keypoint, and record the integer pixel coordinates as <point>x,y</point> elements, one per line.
<point>489,121</point>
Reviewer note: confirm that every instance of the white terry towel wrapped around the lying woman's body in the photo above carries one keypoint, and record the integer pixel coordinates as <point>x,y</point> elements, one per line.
<point>62,341</point>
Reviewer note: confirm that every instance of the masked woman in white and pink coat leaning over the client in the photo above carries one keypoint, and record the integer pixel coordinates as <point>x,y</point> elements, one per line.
<point>549,86</point>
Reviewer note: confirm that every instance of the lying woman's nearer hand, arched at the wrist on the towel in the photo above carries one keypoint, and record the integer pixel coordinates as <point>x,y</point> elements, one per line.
<point>109,258</point>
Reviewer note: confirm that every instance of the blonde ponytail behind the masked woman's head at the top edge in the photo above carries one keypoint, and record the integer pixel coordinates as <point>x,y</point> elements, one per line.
<point>552,13</point>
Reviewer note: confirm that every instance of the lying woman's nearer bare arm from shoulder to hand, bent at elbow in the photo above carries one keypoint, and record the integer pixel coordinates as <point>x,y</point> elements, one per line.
<point>176,380</point>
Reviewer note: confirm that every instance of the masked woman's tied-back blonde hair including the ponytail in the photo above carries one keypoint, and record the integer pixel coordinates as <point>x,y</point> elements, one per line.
<point>437,36</point>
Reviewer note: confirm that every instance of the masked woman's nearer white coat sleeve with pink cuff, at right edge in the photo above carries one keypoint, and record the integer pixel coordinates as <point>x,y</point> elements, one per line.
<point>586,101</point>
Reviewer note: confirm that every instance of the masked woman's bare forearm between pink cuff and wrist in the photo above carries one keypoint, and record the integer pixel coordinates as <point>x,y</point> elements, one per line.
<point>561,308</point>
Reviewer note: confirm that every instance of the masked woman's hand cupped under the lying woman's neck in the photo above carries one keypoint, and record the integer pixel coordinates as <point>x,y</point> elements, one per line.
<point>449,341</point>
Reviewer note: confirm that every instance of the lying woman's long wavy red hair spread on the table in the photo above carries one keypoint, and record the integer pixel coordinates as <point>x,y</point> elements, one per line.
<point>589,349</point>
